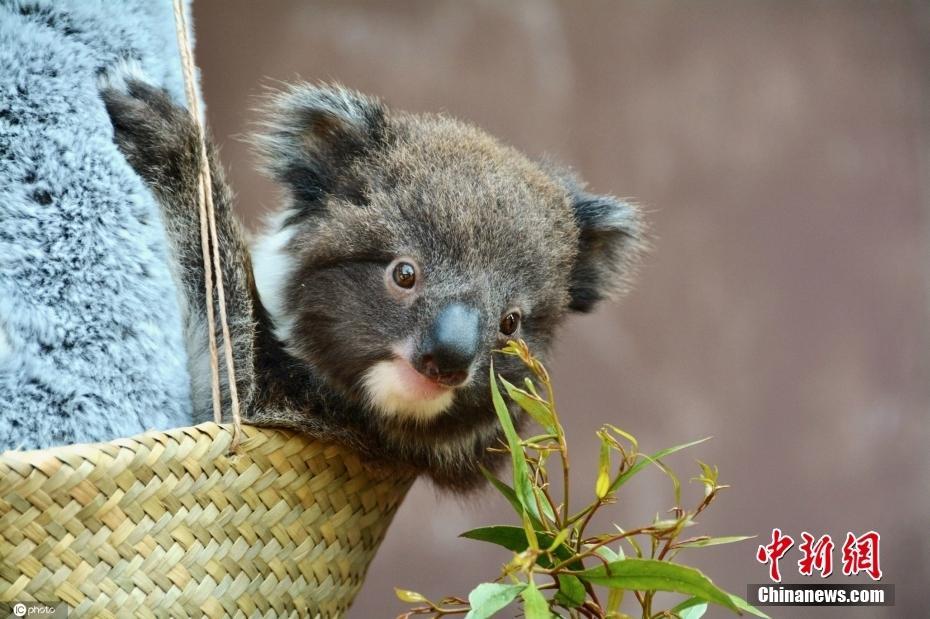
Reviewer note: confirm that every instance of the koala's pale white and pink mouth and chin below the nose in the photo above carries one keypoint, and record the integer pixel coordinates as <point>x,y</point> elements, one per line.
<point>396,389</point>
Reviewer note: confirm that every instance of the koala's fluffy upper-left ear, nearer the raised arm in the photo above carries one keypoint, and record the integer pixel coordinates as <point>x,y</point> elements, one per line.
<point>310,133</point>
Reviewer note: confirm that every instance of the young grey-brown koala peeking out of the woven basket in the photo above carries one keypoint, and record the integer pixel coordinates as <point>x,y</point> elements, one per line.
<point>408,248</point>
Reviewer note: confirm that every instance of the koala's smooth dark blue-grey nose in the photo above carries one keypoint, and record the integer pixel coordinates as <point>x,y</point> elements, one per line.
<point>451,345</point>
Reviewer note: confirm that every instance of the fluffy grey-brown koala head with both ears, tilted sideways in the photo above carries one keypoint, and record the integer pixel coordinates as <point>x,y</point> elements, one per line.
<point>412,246</point>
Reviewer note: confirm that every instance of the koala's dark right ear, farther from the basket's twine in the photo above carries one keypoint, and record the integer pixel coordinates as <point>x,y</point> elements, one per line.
<point>610,241</point>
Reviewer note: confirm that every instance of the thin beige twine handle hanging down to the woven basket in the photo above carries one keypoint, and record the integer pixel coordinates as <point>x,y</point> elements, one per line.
<point>208,239</point>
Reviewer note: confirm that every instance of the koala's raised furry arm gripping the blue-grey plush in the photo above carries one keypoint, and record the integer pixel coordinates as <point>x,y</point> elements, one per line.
<point>162,143</point>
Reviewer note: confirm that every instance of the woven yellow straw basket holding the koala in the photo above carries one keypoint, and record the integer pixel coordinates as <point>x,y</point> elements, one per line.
<point>168,524</point>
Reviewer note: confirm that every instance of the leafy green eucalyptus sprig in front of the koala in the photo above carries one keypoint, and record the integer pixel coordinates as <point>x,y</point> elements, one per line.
<point>558,567</point>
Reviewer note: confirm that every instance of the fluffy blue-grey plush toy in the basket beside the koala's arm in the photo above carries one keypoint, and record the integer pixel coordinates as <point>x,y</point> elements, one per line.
<point>91,343</point>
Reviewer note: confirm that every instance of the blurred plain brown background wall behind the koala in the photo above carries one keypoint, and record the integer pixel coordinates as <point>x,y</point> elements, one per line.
<point>781,150</point>
